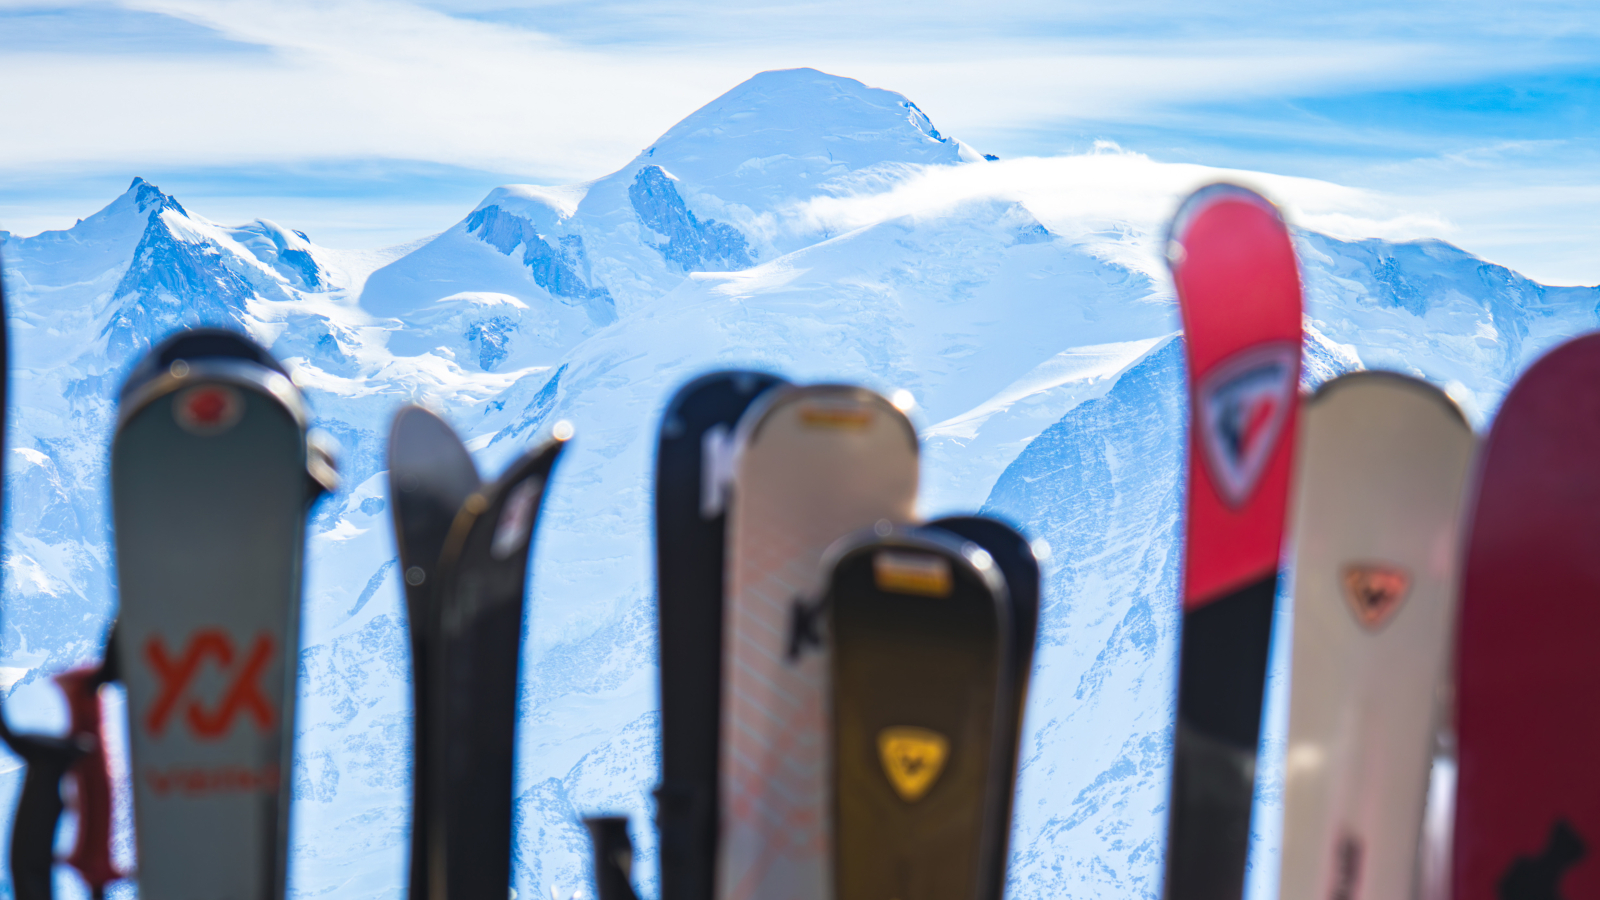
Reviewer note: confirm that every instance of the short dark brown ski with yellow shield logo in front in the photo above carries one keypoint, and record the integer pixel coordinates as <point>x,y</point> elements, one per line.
<point>921,646</point>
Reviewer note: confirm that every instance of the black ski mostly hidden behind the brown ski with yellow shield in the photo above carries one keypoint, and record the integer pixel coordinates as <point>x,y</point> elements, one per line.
<point>1020,569</point>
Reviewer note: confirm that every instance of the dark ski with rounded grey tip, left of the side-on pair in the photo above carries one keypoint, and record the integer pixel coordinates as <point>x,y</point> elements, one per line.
<point>431,476</point>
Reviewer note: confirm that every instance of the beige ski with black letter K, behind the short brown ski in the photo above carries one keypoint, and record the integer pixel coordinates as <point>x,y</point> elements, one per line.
<point>812,465</point>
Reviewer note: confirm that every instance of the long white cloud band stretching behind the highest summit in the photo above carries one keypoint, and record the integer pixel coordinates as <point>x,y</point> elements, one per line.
<point>393,79</point>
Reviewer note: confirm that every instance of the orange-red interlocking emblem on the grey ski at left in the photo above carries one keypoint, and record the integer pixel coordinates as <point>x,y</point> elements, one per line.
<point>242,696</point>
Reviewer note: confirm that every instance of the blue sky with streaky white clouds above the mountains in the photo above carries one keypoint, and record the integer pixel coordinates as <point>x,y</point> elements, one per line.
<point>375,123</point>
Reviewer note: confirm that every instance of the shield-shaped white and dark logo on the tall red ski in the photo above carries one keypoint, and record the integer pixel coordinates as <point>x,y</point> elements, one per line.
<point>1242,406</point>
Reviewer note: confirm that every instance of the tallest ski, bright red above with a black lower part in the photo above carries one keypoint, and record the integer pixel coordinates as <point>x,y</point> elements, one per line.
<point>1241,299</point>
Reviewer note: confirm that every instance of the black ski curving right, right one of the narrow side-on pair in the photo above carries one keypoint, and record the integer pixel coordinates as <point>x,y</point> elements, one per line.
<point>482,581</point>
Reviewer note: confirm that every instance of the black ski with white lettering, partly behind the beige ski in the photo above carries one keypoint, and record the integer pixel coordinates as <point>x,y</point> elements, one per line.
<point>692,470</point>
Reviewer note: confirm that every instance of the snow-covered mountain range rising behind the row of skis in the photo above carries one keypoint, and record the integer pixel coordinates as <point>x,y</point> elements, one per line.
<point>801,223</point>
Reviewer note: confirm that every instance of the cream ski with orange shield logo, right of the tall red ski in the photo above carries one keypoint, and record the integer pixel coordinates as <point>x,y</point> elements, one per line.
<point>1380,481</point>
